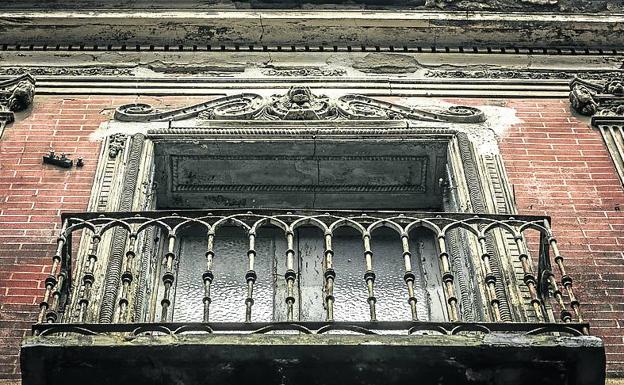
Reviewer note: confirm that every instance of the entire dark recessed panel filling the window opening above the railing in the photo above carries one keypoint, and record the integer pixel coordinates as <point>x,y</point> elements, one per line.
<point>303,174</point>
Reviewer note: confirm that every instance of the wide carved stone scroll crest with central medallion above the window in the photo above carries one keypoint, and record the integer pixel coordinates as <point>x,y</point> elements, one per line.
<point>299,103</point>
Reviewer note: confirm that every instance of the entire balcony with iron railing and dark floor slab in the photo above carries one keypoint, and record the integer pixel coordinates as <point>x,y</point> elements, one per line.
<point>309,297</point>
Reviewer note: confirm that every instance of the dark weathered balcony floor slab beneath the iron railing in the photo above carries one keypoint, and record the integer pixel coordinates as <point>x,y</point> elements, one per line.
<point>484,359</point>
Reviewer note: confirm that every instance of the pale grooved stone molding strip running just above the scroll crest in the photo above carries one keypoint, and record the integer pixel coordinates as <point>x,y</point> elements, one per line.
<point>219,86</point>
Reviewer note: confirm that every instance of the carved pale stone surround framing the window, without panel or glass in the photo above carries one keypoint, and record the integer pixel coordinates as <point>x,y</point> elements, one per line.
<point>126,175</point>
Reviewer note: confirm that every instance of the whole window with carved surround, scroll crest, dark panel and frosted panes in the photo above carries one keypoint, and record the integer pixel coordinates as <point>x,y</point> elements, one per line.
<point>248,153</point>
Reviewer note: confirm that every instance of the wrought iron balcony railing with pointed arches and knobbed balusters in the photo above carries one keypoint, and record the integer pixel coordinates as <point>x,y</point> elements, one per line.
<point>549,290</point>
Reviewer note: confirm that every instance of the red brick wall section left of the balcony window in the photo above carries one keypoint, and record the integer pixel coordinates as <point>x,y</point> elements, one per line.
<point>31,197</point>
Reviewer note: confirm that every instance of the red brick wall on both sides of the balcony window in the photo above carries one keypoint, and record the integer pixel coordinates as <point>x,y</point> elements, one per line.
<point>558,165</point>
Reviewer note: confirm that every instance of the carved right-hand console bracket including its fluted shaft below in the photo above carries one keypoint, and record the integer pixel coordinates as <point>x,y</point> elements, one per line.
<point>604,102</point>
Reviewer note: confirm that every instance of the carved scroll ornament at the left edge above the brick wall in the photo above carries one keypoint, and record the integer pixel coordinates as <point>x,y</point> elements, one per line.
<point>15,95</point>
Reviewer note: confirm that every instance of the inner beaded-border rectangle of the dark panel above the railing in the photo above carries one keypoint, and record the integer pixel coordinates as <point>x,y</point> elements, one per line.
<point>318,174</point>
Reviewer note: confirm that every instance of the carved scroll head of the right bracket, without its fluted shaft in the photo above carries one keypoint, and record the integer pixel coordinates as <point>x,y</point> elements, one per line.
<point>600,100</point>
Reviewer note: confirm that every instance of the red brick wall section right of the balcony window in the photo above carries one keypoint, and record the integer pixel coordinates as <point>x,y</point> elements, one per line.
<point>560,166</point>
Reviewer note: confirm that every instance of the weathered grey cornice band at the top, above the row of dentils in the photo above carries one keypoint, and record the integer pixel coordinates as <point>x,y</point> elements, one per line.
<point>305,28</point>
